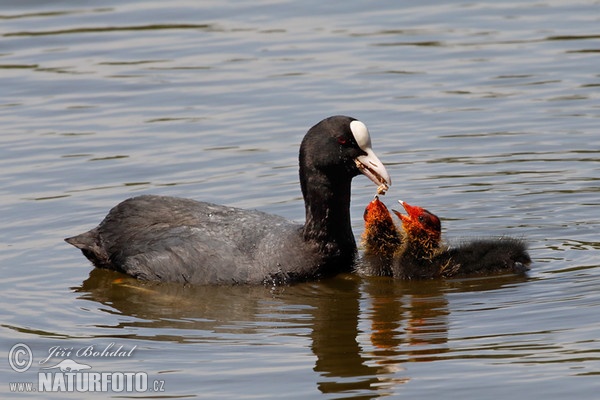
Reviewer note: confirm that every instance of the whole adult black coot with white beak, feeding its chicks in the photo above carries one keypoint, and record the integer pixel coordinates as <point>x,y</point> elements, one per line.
<point>163,238</point>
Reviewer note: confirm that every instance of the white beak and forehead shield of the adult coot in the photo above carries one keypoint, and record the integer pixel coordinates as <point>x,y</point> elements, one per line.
<point>369,164</point>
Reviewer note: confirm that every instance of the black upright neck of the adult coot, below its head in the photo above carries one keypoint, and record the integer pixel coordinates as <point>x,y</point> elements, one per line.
<point>327,204</point>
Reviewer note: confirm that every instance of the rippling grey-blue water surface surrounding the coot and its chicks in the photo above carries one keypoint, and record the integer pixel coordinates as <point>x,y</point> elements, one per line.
<point>486,113</point>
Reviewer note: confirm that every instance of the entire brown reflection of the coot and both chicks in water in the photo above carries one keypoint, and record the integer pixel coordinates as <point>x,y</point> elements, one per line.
<point>406,321</point>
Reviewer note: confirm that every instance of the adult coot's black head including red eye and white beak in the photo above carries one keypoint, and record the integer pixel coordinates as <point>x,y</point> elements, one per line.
<point>340,148</point>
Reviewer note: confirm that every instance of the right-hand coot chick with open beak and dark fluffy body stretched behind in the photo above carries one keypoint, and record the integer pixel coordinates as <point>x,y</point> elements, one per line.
<point>424,256</point>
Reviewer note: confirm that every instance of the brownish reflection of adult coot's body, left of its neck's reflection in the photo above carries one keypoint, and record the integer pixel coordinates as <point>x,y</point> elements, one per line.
<point>221,309</point>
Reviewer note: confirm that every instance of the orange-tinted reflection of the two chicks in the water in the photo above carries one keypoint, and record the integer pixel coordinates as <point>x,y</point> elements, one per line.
<point>409,321</point>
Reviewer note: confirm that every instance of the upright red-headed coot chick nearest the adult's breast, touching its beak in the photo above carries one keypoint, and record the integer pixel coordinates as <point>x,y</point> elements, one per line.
<point>380,239</point>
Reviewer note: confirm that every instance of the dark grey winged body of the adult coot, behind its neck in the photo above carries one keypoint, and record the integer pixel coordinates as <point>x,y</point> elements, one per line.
<point>171,239</point>
